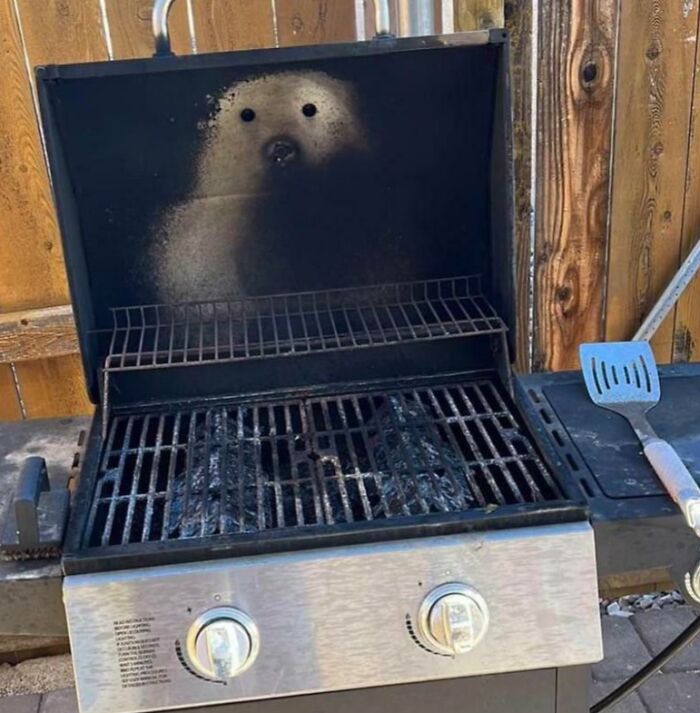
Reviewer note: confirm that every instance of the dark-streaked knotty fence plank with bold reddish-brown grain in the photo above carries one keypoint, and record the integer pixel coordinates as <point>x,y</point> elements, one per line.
<point>575,108</point>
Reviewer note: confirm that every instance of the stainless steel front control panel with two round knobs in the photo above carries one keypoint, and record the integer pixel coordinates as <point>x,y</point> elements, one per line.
<point>332,619</point>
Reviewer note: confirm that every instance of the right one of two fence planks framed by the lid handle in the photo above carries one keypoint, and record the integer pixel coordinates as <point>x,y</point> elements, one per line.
<point>306,22</point>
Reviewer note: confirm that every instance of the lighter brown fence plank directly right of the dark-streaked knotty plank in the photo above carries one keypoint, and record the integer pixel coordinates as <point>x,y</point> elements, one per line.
<point>655,79</point>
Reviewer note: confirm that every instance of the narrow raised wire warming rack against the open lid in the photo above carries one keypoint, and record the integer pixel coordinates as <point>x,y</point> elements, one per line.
<point>160,336</point>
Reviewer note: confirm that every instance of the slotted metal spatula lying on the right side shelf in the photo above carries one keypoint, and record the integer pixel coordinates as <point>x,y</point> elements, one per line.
<point>622,377</point>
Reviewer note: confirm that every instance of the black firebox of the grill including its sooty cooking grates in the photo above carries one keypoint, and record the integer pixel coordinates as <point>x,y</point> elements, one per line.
<point>338,465</point>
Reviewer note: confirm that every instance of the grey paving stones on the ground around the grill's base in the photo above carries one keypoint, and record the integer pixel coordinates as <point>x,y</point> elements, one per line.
<point>629,644</point>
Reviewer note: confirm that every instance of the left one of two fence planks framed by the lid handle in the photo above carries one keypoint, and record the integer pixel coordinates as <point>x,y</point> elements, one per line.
<point>222,25</point>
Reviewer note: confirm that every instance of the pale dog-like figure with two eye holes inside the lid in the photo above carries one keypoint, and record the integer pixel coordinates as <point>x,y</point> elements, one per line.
<point>275,147</point>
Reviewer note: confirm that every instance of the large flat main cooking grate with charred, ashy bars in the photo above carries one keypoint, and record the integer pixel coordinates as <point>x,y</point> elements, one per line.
<point>322,460</point>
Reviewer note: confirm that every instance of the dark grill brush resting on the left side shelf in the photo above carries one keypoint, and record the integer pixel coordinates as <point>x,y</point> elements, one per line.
<point>37,516</point>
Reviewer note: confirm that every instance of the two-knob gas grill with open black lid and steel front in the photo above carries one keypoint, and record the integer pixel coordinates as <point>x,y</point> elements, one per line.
<point>309,470</point>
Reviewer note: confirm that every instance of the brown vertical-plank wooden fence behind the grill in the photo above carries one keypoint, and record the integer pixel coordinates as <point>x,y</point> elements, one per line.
<point>607,162</point>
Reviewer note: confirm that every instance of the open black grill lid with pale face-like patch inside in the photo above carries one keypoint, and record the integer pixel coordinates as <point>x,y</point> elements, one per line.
<point>233,176</point>
